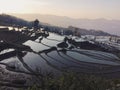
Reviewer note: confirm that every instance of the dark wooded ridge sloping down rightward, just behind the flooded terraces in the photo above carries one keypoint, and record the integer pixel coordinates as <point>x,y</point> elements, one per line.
<point>17,21</point>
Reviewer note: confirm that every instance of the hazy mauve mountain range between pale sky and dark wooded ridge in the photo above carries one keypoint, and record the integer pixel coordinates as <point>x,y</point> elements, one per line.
<point>110,26</point>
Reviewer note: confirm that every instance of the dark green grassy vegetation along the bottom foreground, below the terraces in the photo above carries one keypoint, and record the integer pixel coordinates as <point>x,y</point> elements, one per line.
<point>73,81</point>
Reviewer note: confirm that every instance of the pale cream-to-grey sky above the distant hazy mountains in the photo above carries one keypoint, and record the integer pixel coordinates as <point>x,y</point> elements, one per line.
<point>91,9</point>
